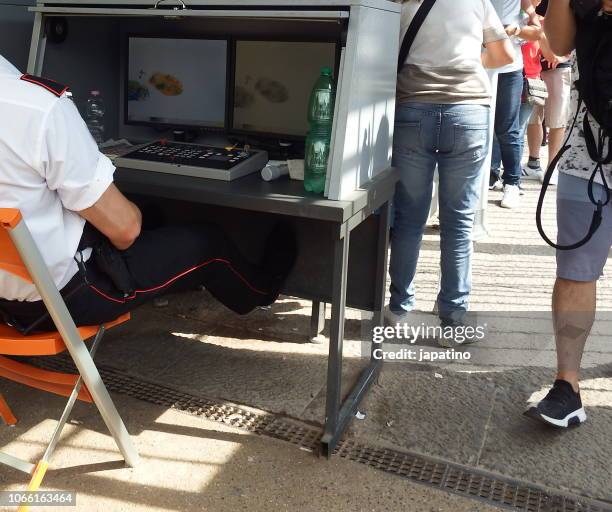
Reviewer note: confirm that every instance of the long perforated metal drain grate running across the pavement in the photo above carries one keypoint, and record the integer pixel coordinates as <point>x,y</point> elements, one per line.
<point>467,482</point>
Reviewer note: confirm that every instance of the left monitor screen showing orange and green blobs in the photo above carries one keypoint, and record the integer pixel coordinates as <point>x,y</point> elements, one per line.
<point>179,82</point>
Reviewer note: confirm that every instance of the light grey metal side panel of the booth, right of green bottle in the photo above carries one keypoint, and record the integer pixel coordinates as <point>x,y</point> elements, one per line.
<point>366,100</point>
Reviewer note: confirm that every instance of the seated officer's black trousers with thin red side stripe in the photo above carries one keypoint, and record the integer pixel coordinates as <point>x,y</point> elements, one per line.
<point>160,261</point>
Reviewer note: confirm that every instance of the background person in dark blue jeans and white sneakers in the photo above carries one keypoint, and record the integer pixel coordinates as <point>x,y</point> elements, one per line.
<point>509,92</point>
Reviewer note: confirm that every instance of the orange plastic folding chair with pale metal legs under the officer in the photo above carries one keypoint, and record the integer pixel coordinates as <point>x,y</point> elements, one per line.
<point>20,256</point>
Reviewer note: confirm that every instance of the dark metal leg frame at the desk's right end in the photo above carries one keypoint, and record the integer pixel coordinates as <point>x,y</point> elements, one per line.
<point>338,417</point>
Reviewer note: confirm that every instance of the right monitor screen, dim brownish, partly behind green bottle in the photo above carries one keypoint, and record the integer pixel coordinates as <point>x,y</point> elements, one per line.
<point>272,84</point>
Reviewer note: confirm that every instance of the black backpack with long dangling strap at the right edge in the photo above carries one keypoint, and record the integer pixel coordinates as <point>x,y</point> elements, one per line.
<point>594,54</point>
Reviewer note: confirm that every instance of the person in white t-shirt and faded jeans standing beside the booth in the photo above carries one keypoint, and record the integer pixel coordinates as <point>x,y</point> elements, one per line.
<point>442,119</point>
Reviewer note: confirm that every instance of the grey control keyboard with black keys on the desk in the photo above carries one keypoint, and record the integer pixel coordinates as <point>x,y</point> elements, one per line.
<point>193,160</point>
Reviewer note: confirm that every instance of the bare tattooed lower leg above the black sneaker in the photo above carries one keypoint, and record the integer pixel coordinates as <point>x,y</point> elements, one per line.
<point>573,306</point>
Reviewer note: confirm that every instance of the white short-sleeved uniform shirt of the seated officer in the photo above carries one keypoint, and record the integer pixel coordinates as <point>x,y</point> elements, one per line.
<point>50,168</point>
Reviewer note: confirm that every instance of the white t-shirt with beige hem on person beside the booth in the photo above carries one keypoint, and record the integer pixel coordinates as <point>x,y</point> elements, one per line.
<point>444,64</point>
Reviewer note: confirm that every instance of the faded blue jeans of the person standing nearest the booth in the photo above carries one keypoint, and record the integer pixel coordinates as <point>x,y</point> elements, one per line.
<point>455,138</point>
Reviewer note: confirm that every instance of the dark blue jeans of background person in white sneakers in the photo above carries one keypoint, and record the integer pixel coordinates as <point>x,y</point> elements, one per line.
<point>507,128</point>
